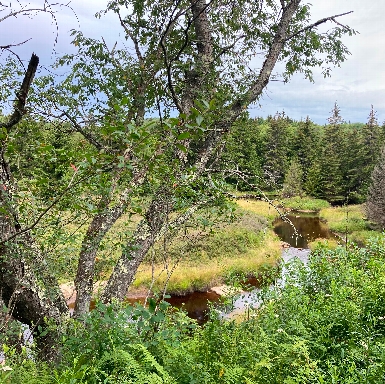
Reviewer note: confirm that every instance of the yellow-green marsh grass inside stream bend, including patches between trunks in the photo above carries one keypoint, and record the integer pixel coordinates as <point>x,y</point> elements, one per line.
<point>240,248</point>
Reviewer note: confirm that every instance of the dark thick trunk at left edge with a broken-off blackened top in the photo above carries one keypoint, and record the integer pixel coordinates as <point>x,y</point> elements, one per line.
<point>28,290</point>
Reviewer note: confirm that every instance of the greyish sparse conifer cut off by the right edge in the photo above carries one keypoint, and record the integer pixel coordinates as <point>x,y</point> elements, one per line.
<point>375,204</point>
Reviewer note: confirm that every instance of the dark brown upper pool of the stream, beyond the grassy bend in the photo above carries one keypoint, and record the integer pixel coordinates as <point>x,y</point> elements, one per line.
<point>308,226</point>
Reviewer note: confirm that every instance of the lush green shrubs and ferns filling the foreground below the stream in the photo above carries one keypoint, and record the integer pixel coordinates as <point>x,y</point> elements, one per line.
<point>326,325</point>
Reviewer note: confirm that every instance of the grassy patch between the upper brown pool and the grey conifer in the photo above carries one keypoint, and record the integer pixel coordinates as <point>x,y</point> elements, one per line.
<point>349,222</point>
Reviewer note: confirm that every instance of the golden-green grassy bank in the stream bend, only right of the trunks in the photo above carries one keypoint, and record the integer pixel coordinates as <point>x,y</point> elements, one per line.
<point>247,247</point>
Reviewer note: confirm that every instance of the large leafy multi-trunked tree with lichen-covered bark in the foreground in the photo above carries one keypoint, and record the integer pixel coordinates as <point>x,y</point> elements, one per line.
<point>193,59</point>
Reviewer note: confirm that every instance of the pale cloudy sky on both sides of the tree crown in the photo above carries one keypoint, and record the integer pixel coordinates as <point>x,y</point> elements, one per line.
<point>355,86</point>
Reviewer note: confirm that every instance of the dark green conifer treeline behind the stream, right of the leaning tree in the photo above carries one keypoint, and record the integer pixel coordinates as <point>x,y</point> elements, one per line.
<point>333,162</point>
